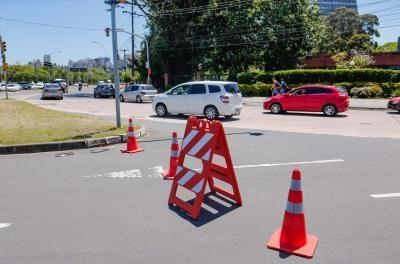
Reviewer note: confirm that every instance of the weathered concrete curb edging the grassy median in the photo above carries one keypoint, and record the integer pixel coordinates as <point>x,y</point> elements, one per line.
<point>68,145</point>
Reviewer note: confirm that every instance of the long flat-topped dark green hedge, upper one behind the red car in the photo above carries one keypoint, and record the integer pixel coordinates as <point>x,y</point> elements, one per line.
<point>293,77</point>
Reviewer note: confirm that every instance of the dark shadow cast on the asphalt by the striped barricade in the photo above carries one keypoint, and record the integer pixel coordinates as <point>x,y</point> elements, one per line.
<point>216,202</point>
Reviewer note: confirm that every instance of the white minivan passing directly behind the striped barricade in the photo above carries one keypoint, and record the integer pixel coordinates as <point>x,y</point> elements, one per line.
<point>209,98</point>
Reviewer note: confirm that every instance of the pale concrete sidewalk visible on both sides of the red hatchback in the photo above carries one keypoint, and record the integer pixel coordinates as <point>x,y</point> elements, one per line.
<point>370,104</point>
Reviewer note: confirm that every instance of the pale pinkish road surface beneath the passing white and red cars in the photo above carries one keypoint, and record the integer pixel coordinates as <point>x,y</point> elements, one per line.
<point>358,123</point>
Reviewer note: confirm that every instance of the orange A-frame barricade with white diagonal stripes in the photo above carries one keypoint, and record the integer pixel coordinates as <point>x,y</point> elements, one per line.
<point>202,140</point>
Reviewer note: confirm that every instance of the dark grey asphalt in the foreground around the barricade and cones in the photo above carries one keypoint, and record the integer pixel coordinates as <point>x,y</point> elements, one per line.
<point>101,206</point>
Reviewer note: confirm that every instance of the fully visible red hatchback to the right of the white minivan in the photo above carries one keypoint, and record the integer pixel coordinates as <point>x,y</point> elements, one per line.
<point>327,99</point>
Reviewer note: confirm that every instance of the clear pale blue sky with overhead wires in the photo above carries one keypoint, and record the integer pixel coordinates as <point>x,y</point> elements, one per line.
<point>26,41</point>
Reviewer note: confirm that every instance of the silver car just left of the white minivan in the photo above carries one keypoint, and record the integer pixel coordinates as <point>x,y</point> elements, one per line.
<point>138,93</point>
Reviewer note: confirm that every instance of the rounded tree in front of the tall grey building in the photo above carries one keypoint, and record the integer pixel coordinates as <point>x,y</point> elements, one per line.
<point>347,31</point>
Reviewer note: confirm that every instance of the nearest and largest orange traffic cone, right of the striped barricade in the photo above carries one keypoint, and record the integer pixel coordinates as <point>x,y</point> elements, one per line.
<point>292,238</point>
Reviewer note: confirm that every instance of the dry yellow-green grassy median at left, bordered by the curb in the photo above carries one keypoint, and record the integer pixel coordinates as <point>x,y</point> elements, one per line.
<point>22,123</point>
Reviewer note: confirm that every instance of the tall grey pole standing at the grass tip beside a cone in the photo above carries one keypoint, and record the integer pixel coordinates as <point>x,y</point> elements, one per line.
<point>113,4</point>
